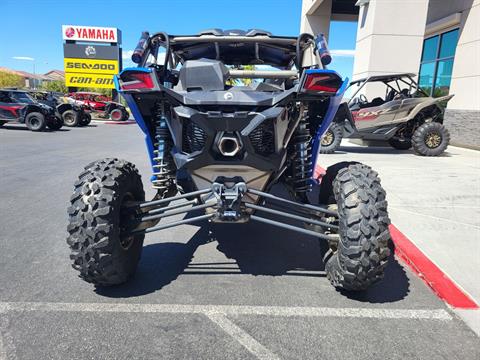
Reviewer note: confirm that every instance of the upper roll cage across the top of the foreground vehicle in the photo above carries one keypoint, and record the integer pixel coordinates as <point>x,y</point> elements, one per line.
<point>288,55</point>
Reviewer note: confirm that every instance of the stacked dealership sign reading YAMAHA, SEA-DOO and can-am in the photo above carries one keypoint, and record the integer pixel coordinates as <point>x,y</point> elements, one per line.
<point>92,56</point>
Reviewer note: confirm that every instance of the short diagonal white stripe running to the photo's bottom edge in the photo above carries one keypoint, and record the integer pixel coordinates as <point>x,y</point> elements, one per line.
<point>252,345</point>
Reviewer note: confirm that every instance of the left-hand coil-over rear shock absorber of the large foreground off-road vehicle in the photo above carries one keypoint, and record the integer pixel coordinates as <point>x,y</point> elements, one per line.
<point>164,168</point>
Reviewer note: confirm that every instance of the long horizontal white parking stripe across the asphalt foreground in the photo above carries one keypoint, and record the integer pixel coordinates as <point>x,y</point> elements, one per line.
<point>436,314</point>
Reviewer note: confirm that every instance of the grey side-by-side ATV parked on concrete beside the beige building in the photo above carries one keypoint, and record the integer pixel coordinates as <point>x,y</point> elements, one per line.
<point>405,116</point>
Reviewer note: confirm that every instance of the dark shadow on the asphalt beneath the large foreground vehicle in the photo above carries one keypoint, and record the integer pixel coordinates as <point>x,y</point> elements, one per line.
<point>257,249</point>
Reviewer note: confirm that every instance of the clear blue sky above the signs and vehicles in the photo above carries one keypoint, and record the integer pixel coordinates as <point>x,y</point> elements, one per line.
<point>35,26</point>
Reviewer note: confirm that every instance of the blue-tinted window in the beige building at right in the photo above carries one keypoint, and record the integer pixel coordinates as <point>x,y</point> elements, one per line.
<point>437,63</point>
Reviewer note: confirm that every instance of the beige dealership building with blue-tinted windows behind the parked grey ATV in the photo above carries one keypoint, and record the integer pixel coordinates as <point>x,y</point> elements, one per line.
<point>439,40</point>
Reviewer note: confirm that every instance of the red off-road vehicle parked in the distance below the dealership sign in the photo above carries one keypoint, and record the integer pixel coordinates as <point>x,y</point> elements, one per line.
<point>101,106</point>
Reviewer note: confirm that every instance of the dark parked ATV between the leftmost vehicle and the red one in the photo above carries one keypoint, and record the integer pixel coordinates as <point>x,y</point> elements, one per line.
<point>70,113</point>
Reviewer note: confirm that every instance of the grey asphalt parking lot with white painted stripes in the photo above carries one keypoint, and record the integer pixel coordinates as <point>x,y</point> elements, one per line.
<point>201,292</point>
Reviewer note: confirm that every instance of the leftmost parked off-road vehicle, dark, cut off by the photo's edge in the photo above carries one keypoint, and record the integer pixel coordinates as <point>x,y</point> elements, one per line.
<point>16,106</point>
